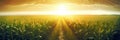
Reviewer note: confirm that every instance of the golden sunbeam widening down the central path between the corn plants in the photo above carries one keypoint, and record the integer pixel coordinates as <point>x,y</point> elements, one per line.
<point>62,31</point>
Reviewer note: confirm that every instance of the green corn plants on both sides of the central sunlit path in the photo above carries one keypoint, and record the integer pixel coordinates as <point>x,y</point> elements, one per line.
<point>40,28</point>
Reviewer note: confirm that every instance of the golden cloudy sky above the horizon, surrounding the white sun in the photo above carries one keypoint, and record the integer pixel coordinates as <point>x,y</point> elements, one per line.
<point>43,5</point>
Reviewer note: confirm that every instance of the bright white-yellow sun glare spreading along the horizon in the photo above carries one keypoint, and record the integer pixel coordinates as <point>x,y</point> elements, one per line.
<point>61,9</point>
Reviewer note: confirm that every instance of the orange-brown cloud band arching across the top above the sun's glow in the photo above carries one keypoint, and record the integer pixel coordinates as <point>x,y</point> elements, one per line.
<point>6,4</point>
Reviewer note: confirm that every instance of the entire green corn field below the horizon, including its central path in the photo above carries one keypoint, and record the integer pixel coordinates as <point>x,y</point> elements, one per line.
<point>78,27</point>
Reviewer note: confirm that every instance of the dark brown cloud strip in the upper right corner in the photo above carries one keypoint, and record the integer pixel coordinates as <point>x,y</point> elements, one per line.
<point>110,2</point>
